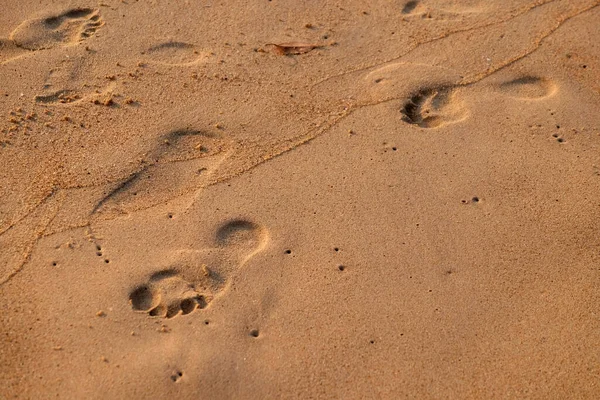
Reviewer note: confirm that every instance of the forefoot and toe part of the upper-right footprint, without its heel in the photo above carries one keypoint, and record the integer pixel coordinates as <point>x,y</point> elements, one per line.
<point>433,108</point>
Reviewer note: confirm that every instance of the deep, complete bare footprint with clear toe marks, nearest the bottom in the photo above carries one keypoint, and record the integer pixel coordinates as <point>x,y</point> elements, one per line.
<point>198,277</point>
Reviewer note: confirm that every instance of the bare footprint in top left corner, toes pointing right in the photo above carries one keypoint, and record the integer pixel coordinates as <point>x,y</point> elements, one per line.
<point>67,28</point>
